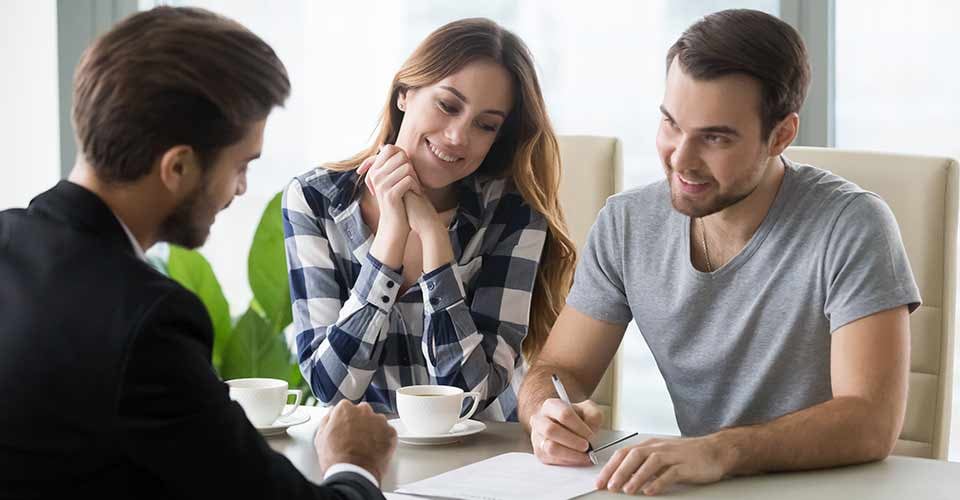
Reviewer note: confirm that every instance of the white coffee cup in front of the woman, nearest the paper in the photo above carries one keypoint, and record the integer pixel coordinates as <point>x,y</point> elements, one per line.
<point>429,410</point>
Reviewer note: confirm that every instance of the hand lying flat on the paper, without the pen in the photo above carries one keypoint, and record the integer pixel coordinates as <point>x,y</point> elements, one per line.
<point>656,464</point>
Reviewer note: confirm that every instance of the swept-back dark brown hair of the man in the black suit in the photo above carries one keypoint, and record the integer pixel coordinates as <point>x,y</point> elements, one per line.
<point>166,77</point>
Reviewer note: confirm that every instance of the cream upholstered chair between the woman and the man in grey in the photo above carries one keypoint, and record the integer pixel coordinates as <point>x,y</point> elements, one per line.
<point>592,171</point>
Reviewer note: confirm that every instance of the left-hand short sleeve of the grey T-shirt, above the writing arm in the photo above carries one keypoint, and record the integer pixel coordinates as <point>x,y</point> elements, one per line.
<point>598,289</point>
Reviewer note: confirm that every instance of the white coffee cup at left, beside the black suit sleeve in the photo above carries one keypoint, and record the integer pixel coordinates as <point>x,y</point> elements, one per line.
<point>263,399</point>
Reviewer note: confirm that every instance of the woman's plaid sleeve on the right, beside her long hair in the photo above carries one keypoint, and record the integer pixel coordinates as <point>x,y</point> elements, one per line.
<point>475,345</point>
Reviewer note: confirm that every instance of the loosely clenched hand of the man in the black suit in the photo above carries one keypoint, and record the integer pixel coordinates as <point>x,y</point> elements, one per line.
<point>354,434</point>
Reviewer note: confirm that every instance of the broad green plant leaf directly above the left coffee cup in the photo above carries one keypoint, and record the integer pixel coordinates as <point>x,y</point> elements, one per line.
<point>255,349</point>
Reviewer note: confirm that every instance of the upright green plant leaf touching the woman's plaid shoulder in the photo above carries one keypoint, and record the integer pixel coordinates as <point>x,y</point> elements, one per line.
<point>267,267</point>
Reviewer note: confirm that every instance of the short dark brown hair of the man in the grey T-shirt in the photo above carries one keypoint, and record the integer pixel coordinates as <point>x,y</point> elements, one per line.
<point>752,43</point>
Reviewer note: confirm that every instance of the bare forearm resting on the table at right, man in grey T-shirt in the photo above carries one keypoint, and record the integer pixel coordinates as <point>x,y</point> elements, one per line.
<point>845,430</point>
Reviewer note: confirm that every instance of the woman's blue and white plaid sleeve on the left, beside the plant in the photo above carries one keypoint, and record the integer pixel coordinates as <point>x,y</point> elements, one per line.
<point>341,331</point>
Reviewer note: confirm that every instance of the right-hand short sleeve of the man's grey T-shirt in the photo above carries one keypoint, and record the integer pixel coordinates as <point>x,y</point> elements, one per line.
<point>865,265</point>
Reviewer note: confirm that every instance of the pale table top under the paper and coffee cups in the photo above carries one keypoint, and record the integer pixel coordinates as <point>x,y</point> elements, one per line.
<point>894,478</point>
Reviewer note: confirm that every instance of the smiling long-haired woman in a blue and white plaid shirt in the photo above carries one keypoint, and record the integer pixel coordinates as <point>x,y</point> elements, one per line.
<point>438,255</point>
